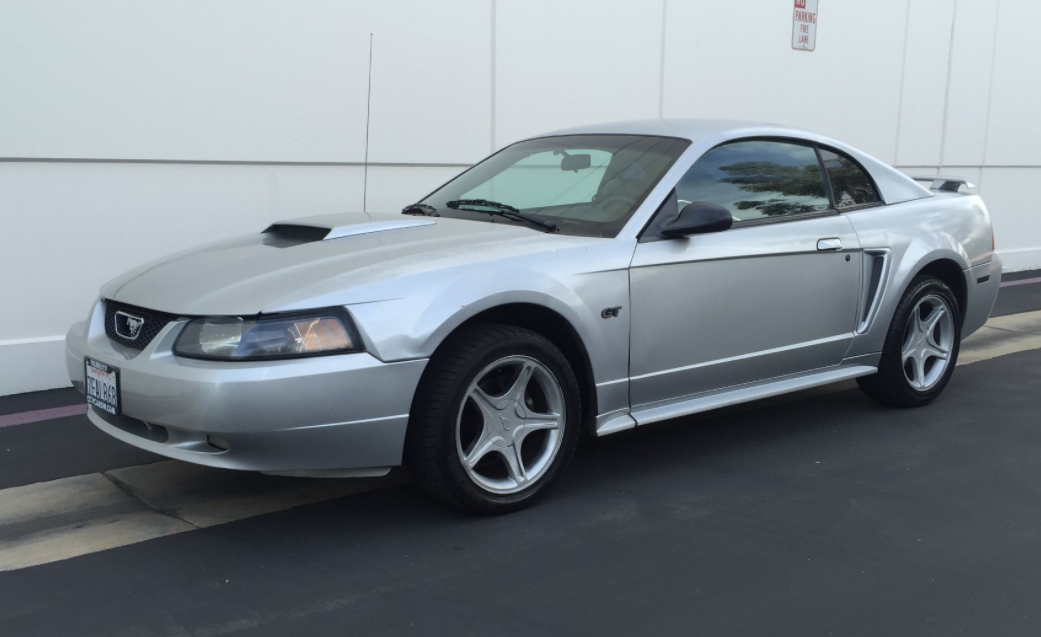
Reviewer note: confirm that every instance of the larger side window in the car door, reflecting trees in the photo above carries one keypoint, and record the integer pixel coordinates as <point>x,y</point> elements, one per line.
<point>757,181</point>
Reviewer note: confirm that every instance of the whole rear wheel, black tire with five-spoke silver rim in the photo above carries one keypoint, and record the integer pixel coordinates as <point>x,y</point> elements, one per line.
<point>922,347</point>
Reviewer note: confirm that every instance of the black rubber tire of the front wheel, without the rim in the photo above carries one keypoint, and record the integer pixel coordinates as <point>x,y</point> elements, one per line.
<point>431,449</point>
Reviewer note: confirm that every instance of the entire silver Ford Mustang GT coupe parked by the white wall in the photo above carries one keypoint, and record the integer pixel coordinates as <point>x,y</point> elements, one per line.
<point>583,283</point>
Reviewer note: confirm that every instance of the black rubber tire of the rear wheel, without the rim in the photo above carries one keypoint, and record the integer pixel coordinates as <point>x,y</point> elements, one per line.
<point>892,387</point>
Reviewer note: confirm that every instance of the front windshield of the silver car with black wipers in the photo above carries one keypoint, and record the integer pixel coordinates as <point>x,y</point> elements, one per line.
<point>586,185</point>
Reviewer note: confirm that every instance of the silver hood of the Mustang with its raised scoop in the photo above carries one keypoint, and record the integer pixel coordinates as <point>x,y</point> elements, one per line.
<point>258,273</point>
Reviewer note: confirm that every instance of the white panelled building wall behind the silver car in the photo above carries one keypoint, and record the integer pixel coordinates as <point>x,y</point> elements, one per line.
<point>134,129</point>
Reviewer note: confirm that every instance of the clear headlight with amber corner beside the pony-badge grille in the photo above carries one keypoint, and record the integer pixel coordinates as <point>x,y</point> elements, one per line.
<point>315,334</point>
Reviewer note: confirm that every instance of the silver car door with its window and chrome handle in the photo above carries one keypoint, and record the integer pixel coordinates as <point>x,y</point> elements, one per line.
<point>774,296</point>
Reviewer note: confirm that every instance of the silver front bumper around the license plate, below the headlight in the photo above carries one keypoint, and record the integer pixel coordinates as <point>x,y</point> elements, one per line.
<point>306,415</point>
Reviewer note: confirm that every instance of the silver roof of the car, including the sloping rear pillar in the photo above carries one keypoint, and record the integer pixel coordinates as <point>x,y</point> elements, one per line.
<point>705,134</point>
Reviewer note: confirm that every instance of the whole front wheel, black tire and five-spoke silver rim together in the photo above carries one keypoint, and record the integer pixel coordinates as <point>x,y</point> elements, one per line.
<point>496,420</point>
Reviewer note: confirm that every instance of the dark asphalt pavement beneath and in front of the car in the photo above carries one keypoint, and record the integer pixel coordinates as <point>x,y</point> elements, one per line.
<point>827,515</point>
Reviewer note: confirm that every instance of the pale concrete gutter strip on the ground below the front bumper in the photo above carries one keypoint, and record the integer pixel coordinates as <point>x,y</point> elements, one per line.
<point>56,521</point>
